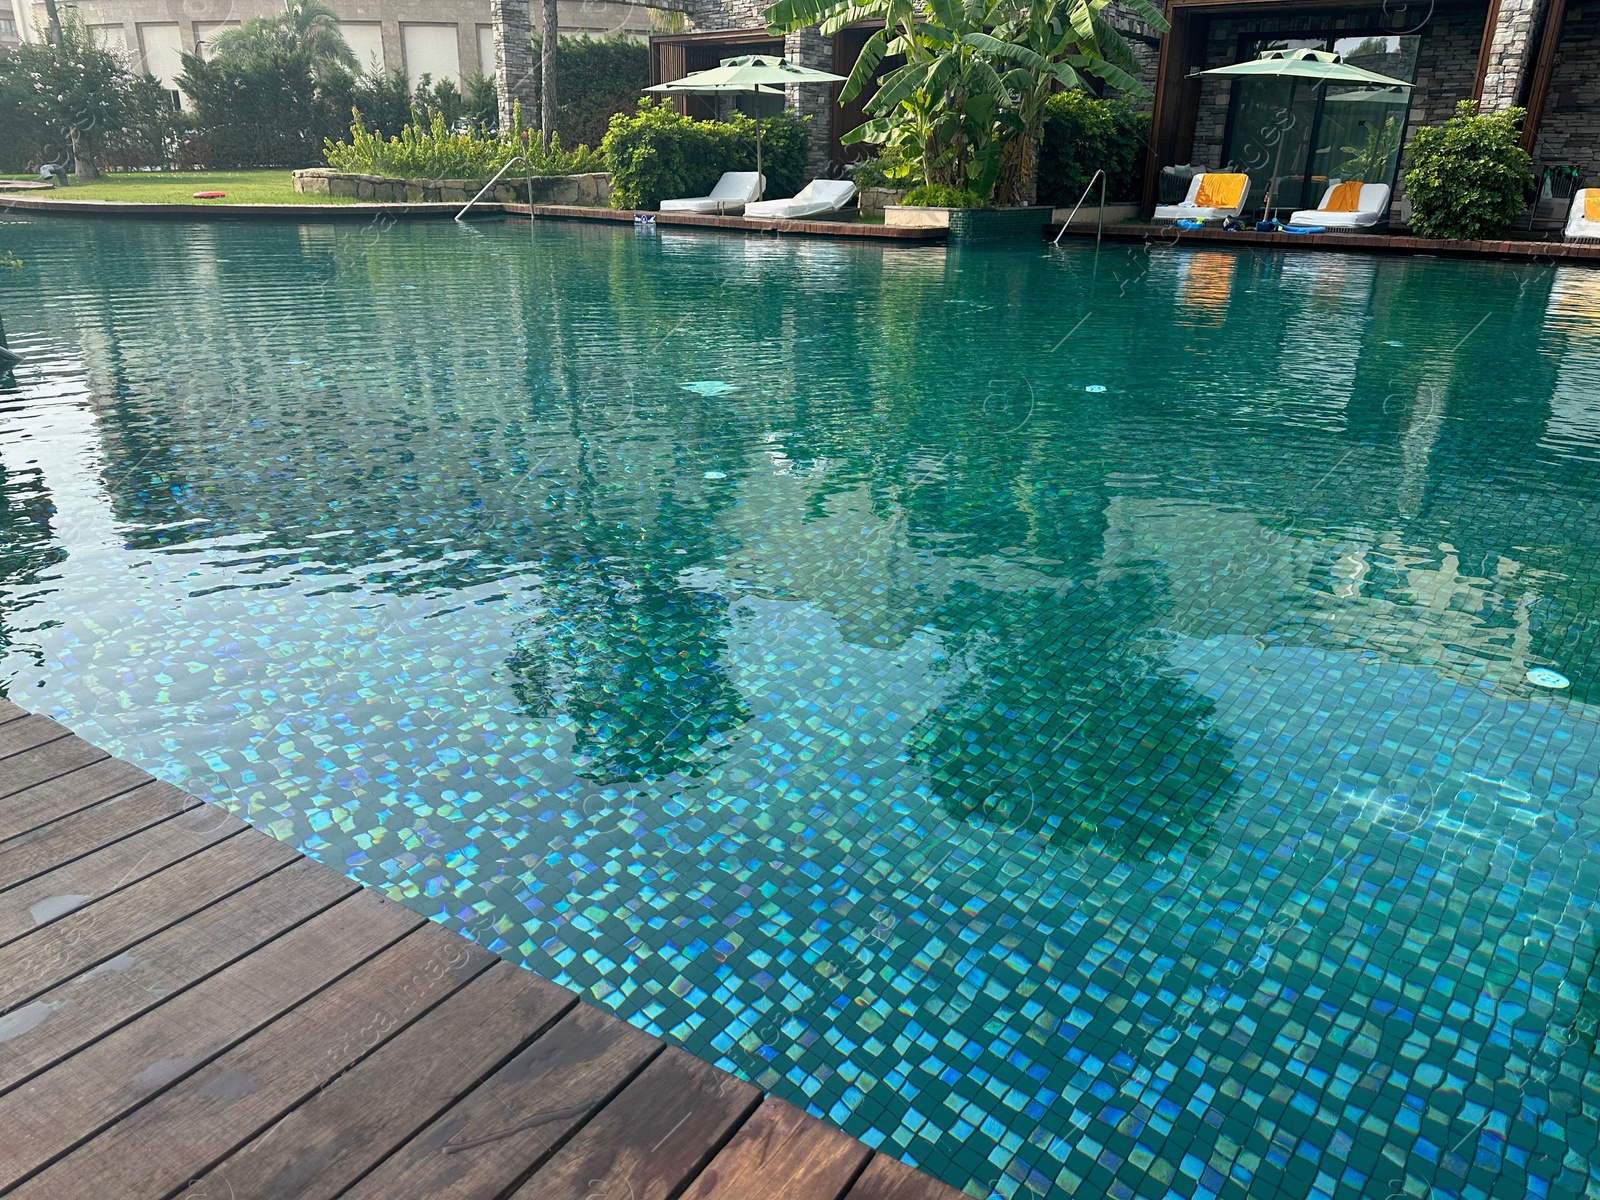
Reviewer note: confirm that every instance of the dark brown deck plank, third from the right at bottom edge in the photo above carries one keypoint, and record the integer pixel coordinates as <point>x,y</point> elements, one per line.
<point>654,1138</point>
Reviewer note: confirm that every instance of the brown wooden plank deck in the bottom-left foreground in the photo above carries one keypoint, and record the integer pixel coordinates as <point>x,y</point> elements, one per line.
<point>193,1009</point>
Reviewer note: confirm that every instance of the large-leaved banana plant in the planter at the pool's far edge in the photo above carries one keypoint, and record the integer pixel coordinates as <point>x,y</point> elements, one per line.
<point>970,98</point>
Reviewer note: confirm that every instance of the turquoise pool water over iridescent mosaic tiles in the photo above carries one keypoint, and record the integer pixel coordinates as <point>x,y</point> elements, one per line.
<point>1062,719</point>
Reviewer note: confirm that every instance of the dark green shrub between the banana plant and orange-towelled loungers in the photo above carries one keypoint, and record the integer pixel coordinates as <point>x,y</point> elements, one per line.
<point>1082,135</point>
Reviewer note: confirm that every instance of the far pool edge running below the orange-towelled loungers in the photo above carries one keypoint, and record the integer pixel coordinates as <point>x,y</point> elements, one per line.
<point>1364,244</point>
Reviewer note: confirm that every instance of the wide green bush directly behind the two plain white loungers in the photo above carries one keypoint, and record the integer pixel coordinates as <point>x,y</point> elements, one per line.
<point>658,154</point>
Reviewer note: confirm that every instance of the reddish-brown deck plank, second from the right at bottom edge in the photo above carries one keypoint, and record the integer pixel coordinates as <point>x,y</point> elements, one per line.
<point>782,1154</point>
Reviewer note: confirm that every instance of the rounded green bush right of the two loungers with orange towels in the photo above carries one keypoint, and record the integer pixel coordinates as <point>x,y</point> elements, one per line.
<point>1468,177</point>
